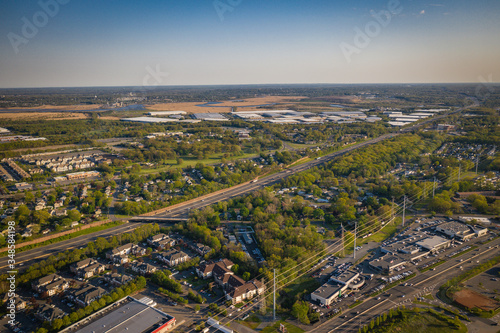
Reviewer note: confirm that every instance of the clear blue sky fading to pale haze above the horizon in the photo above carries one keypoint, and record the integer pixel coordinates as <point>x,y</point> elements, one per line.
<point>72,43</point>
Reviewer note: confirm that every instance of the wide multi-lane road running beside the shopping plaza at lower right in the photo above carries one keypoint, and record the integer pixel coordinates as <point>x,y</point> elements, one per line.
<point>423,283</point>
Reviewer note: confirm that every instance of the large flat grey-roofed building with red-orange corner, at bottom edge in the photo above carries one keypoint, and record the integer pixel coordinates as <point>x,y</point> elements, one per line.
<point>132,316</point>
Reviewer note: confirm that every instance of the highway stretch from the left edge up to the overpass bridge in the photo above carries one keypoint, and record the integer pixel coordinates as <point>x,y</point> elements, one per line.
<point>26,258</point>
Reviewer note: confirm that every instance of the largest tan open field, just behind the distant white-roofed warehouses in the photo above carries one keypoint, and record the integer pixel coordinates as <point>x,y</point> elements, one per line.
<point>223,107</point>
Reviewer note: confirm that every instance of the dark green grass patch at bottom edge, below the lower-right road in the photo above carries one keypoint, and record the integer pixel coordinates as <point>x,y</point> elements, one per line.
<point>425,322</point>
